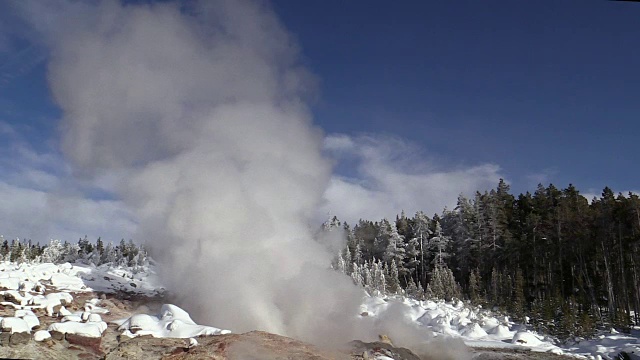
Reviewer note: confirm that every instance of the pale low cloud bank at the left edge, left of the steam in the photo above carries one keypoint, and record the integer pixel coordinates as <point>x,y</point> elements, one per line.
<point>40,200</point>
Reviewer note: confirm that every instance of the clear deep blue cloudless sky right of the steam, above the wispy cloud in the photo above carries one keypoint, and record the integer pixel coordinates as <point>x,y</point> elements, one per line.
<point>538,87</point>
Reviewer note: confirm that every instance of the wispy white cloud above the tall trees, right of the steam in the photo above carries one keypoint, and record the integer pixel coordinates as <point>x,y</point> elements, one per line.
<point>391,175</point>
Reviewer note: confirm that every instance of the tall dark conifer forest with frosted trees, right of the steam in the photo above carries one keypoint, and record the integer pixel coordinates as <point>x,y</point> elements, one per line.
<point>568,263</point>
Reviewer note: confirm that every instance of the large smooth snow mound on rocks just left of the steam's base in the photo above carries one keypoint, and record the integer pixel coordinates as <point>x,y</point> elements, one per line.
<point>172,322</point>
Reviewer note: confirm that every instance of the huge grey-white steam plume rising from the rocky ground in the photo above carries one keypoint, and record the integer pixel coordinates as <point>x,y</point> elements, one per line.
<point>200,112</point>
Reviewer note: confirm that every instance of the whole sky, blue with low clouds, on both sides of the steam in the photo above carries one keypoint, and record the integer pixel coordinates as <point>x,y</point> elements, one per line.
<point>449,95</point>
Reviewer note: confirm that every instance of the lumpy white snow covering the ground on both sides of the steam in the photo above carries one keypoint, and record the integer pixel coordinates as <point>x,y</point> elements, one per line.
<point>27,287</point>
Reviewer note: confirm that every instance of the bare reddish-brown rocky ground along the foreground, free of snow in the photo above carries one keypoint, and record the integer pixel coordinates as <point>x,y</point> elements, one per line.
<point>248,346</point>
